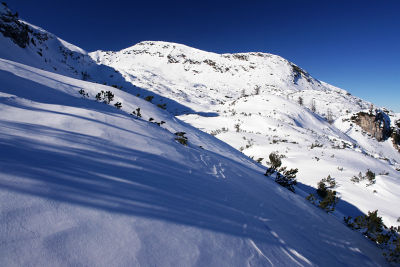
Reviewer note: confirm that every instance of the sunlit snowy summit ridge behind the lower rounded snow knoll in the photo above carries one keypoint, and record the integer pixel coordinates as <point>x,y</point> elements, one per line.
<point>203,80</point>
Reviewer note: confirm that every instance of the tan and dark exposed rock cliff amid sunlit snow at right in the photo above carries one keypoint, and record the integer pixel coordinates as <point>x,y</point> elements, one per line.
<point>378,124</point>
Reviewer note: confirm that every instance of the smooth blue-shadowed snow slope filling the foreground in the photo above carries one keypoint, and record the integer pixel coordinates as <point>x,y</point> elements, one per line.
<point>85,183</point>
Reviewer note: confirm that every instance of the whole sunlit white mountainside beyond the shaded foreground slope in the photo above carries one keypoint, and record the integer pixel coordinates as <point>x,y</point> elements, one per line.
<point>251,101</point>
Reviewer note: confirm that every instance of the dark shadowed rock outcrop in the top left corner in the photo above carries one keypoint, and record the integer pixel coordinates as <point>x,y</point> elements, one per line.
<point>12,28</point>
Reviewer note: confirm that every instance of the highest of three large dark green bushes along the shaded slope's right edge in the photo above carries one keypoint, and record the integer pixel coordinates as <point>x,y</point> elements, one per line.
<point>284,177</point>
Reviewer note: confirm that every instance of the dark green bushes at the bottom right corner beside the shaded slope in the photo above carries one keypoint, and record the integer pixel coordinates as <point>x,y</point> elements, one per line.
<point>372,227</point>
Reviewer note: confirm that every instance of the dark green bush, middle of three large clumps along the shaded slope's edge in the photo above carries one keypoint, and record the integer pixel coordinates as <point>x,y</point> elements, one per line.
<point>326,198</point>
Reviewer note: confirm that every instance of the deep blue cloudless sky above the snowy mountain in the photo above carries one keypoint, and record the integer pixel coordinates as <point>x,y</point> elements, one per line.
<point>354,45</point>
